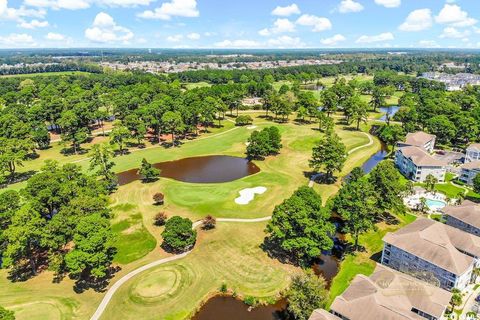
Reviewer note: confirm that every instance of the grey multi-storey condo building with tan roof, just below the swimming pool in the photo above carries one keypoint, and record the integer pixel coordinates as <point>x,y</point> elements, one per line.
<point>433,252</point>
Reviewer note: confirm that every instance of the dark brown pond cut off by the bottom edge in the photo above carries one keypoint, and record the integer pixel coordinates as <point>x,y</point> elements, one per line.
<point>229,308</point>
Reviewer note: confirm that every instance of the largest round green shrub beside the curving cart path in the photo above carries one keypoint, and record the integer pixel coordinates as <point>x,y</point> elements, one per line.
<point>178,235</point>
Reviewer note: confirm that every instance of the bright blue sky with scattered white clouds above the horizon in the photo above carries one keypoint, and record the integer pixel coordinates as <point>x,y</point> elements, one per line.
<point>240,23</point>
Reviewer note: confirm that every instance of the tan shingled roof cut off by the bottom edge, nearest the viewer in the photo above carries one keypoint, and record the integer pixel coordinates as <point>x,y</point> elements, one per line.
<point>389,294</point>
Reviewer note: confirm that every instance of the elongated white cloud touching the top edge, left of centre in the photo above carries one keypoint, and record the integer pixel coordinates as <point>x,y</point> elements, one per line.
<point>180,8</point>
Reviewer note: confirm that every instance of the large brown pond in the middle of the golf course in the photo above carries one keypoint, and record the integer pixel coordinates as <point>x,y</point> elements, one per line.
<point>206,169</point>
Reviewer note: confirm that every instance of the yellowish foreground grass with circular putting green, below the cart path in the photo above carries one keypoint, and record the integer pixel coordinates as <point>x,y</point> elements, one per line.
<point>229,254</point>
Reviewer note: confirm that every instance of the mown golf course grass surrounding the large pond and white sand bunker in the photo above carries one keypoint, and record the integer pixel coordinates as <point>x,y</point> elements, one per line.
<point>229,254</point>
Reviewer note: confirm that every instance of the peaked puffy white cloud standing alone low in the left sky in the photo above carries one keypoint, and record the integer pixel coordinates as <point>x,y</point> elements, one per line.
<point>105,30</point>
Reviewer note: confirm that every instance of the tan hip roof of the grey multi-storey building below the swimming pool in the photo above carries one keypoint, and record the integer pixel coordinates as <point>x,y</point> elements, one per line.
<point>437,243</point>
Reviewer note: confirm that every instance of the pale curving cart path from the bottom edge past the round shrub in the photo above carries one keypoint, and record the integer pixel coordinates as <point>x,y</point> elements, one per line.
<point>111,291</point>
